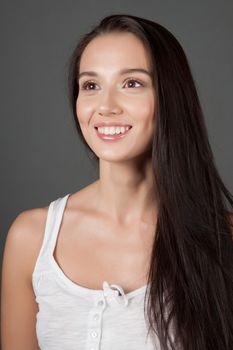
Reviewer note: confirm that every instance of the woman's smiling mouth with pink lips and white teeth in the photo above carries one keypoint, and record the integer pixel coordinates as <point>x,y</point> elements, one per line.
<point>112,133</point>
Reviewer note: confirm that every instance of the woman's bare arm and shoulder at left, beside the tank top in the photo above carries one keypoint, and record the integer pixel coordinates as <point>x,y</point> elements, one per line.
<point>18,305</point>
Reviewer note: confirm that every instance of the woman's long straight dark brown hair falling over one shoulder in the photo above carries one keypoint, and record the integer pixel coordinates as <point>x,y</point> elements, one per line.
<point>191,266</point>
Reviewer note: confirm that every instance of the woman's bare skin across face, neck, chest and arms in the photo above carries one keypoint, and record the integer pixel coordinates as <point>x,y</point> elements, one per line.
<point>108,227</point>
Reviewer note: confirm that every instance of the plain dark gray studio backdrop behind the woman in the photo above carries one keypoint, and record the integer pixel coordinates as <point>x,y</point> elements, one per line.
<point>41,156</point>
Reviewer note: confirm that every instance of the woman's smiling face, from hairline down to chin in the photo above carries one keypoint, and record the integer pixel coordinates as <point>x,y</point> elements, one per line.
<point>111,95</point>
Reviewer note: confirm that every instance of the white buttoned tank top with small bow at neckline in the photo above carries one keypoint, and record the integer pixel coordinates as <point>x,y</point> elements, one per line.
<point>73,317</point>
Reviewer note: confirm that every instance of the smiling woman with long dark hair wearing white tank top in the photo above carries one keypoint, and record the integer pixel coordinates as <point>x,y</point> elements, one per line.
<point>141,258</point>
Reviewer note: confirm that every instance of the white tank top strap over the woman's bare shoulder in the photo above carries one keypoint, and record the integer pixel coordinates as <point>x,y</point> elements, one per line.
<point>53,221</point>
